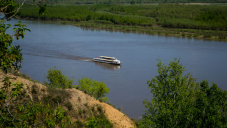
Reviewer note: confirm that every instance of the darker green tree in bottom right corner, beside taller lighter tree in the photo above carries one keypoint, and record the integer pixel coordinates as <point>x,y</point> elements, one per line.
<point>210,106</point>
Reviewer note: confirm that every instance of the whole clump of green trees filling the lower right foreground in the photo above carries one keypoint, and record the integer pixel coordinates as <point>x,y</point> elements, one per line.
<point>180,101</point>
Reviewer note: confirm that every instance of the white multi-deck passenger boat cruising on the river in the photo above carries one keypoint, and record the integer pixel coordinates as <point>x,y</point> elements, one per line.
<point>106,59</point>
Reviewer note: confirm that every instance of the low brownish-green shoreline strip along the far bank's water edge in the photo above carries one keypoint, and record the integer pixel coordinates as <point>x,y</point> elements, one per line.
<point>149,30</point>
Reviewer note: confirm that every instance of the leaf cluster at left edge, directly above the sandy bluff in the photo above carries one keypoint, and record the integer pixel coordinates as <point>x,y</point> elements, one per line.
<point>9,54</point>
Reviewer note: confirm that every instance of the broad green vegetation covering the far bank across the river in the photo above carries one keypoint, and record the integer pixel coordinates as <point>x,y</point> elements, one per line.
<point>207,22</point>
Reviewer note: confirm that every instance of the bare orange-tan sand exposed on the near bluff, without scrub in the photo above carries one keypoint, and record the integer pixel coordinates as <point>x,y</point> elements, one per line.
<point>78,99</point>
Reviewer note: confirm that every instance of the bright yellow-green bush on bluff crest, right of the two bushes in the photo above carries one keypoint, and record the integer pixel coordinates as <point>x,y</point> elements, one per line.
<point>94,88</point>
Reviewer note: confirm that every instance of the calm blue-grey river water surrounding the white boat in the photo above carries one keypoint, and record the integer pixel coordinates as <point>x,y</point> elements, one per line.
<point>71,48</point>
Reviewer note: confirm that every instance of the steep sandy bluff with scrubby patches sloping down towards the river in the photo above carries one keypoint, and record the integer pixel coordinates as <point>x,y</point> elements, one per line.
<point>81,105</point>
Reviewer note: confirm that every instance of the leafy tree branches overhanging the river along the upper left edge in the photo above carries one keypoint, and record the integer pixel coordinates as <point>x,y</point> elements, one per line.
<point>10,55</point>
